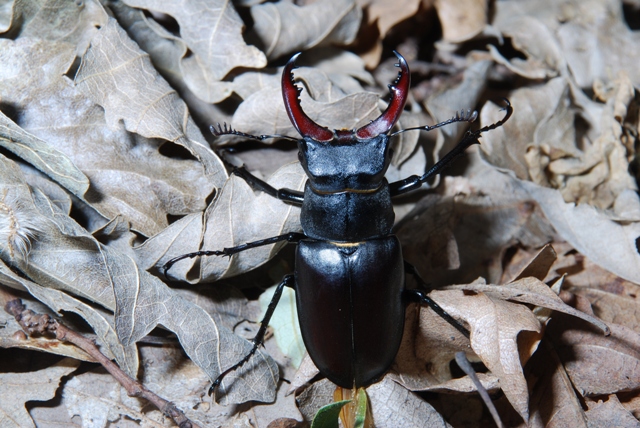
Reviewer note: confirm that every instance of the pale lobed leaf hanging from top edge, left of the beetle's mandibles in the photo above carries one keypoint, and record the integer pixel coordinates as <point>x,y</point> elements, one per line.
<point>210,43</point>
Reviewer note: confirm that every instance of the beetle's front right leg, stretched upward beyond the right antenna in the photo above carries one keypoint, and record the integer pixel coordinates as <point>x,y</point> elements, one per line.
<point>470,138</point>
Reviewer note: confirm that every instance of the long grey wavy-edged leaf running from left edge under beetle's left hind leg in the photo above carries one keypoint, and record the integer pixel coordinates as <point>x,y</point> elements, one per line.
<point>65,257</point>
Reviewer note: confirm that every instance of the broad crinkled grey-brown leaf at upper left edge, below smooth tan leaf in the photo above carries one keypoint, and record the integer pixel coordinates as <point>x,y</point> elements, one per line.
<point>127,173</point>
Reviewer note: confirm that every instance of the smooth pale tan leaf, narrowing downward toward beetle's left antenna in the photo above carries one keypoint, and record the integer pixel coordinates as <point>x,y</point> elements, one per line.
<point>113,73</point>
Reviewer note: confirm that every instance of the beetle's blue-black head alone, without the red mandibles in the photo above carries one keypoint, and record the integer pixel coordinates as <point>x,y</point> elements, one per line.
<point>346,163</point>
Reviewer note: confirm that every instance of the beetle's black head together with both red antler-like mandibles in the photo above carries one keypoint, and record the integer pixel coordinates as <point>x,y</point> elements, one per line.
<point>340,159</point>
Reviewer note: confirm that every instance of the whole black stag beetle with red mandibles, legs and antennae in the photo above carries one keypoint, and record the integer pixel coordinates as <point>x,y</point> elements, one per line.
<point>349,272</point>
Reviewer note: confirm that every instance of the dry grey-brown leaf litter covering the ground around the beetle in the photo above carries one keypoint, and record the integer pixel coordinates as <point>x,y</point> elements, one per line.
<point>107,174</point>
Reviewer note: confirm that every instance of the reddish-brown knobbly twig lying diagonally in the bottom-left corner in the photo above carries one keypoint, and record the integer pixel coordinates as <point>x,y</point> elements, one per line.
<point>33,323</point>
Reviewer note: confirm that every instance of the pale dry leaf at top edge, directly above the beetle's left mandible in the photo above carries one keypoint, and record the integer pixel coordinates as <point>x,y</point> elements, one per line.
<point>284,27</point>
